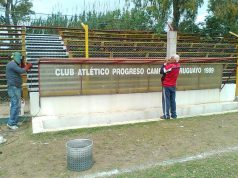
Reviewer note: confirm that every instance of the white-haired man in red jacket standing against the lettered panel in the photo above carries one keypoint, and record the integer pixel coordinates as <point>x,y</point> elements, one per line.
<point>170,71</point>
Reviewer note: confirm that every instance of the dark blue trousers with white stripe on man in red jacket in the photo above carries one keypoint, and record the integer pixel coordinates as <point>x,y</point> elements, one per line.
<point>168,102</point>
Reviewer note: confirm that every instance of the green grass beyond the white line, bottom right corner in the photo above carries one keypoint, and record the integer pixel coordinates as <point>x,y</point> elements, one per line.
<point>219,166</point>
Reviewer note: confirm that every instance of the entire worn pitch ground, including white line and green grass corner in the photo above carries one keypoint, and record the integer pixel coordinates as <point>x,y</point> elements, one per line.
<point>190,147</point>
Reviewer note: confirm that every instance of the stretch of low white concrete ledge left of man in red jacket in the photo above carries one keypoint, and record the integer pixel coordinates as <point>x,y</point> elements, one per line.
<point>64,122</point>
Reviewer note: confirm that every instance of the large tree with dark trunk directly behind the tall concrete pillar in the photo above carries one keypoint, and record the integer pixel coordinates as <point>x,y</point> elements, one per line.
<point>160,10</point>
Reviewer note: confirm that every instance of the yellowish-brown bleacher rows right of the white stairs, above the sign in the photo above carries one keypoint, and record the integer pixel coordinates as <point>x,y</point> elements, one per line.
<point>133,44</point>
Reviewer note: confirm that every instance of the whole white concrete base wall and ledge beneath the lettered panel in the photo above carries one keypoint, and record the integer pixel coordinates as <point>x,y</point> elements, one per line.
<point>70,112</point>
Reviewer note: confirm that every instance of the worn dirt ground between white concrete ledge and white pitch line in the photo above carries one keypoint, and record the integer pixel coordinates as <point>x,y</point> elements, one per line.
<point>44,155</point>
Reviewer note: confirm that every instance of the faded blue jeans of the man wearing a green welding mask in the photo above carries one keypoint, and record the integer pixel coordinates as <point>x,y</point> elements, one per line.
<point>15,100</point>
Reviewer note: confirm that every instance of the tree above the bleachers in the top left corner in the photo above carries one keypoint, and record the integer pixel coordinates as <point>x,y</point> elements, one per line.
<point>16,10</point>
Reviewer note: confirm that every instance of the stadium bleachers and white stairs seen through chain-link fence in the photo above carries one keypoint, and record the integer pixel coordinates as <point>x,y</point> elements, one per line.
<point>38,42</point>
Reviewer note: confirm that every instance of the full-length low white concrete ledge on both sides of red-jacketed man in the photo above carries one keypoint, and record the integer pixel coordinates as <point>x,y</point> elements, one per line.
<point>86,120</point>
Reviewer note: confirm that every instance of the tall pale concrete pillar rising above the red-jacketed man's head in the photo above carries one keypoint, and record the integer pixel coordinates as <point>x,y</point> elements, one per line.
<point>171,43</point>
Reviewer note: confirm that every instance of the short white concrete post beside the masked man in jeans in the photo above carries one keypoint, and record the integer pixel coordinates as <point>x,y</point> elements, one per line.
<point>34,103</point>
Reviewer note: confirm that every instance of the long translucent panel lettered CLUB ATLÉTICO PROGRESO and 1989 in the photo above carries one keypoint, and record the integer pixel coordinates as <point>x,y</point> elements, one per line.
<point>86,79</point>
